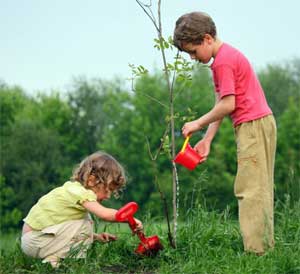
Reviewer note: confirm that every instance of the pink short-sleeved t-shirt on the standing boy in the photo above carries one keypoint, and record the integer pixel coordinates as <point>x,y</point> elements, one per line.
<point>233,75</point>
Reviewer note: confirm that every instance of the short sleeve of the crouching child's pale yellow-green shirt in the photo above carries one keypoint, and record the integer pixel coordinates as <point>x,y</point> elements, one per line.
<point>78,194</point>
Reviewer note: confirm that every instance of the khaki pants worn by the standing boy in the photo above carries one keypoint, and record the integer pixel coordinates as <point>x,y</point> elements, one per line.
<point>254,183</point>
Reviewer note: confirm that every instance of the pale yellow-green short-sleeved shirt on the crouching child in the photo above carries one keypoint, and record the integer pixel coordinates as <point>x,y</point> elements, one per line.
<point>59,205</point>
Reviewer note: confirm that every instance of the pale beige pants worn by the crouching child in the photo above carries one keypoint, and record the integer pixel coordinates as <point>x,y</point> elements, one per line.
<point>71,238</point>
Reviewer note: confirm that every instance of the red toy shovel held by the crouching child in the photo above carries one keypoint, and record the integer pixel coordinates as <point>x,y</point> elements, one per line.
<point>148,245</point>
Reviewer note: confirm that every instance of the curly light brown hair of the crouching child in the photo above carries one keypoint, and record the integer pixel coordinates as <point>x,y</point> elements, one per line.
<point>107,170</point>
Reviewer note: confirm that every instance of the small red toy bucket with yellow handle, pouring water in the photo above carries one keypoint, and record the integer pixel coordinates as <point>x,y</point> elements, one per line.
<point>187,156</point>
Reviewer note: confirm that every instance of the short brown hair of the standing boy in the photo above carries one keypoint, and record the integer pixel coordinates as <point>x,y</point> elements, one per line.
<point>192,27</point>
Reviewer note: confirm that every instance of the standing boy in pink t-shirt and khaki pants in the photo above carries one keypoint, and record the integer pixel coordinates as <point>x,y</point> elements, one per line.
<point>240,95</point>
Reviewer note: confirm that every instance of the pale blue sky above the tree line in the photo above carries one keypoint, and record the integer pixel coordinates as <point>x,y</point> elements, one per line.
<point>44,44</point>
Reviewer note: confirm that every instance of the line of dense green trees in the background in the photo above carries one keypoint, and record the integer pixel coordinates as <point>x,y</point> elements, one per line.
<point>44,136</point>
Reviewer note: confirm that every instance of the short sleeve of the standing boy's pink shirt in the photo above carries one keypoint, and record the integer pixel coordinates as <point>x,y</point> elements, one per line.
<point>224,80</point>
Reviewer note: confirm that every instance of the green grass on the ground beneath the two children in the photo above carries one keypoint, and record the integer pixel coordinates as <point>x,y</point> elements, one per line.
<point>207,242</point>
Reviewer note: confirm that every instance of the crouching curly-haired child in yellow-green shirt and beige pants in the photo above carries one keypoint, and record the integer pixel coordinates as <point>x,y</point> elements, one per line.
<point>60,220</point>
